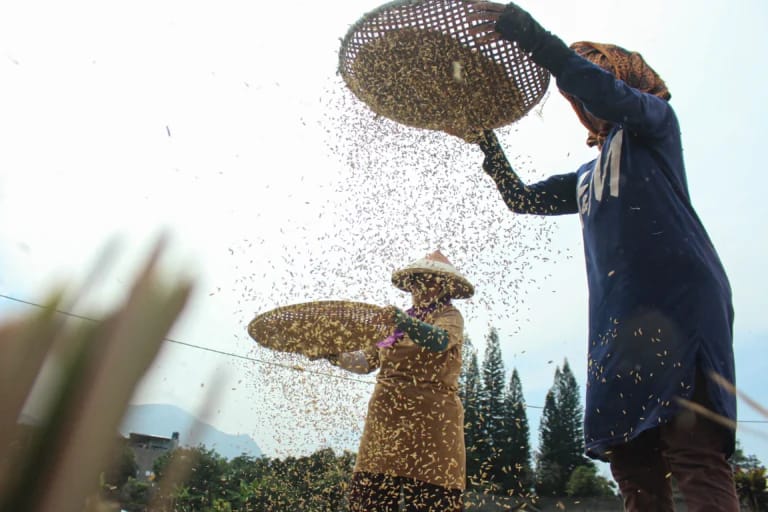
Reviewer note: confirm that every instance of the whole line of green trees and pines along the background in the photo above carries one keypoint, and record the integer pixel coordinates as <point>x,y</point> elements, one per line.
<point>500,461</point>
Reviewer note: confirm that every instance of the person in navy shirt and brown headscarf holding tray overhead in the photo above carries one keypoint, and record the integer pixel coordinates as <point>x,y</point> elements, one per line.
<point>660,309</point>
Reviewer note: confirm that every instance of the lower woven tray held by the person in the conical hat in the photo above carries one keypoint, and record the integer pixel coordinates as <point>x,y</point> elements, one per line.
<point>319,328</point>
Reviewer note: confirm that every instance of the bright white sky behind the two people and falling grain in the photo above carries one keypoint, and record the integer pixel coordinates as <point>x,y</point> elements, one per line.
<point>224,124</point>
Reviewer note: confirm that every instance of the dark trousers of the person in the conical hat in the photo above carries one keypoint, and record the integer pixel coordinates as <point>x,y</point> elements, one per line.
<point>373,492</point>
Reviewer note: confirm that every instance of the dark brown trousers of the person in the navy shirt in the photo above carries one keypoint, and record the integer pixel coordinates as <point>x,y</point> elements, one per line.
<point>690,448</point>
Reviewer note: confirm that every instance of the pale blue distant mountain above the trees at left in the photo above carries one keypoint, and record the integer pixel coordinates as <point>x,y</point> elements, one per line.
<point>163,420</point>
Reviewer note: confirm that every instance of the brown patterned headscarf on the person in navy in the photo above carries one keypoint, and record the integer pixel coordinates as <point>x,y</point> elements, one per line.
<point>627,66</point>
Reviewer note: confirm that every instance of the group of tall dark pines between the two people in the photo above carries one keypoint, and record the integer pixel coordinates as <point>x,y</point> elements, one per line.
<point>497,432</point>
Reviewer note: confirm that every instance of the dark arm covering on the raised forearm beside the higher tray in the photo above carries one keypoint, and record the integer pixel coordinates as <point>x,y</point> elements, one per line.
<point>547,50</point>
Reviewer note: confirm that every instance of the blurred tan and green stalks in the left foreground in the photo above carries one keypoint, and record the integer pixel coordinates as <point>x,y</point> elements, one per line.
<point>57,466</point>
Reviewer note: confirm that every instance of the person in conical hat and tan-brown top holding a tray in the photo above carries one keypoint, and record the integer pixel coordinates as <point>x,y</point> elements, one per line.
<point>413,440</point>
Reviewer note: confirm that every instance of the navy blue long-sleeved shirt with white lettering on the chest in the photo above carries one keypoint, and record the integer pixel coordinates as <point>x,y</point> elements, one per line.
<point>659,300</point>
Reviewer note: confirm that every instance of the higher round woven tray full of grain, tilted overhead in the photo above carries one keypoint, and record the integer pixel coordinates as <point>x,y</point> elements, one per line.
<point>414,62</point>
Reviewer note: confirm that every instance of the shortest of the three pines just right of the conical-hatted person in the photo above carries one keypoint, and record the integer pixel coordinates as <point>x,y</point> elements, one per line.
<point>517,475</point>
